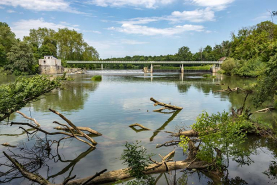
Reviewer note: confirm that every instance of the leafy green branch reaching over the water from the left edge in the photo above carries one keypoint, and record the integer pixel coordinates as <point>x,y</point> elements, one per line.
<point>16,95</point>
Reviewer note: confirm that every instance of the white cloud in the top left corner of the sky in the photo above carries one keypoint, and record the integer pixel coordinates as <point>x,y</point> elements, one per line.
<point>41,5</point>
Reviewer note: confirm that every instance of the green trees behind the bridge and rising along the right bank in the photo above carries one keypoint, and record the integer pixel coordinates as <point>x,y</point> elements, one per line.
<point>248,51</point>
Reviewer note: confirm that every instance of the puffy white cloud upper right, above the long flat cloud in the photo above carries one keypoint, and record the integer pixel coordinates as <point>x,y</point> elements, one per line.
<point>199,15</point>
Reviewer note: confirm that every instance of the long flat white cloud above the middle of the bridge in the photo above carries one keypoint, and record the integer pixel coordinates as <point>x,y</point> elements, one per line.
<point>145,30</point>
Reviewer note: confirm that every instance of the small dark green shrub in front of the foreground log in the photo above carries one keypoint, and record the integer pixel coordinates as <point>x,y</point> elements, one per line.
<point>137,159</point>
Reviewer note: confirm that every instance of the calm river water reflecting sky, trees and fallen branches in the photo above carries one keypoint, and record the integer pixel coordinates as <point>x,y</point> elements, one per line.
<point>122,98</point>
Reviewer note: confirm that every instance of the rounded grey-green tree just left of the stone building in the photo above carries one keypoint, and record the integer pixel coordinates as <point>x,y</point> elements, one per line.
<point>20,59</point>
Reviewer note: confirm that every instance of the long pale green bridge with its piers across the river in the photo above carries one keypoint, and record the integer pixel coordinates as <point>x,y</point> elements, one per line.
<point>215,67</point>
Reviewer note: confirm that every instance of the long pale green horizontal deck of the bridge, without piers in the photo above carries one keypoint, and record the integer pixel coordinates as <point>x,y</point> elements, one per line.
<point>144,62</point>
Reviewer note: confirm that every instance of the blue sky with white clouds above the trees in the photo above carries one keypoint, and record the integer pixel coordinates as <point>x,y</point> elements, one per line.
<point>119,28</point>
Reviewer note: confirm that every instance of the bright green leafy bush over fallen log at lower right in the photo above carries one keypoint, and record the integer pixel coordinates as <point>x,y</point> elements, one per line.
<point>219,131</point>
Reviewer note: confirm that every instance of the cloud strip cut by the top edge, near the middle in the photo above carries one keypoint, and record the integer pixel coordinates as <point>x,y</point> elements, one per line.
<point>134,3</point>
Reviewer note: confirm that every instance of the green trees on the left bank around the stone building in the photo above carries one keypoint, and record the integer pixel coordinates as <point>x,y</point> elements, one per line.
<point>21,57</point>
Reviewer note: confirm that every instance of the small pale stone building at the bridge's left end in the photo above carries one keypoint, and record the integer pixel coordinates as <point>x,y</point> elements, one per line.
<point>50,65</point>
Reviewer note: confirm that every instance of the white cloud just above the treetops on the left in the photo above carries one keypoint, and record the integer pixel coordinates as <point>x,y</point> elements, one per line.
<point>22,27</point>
